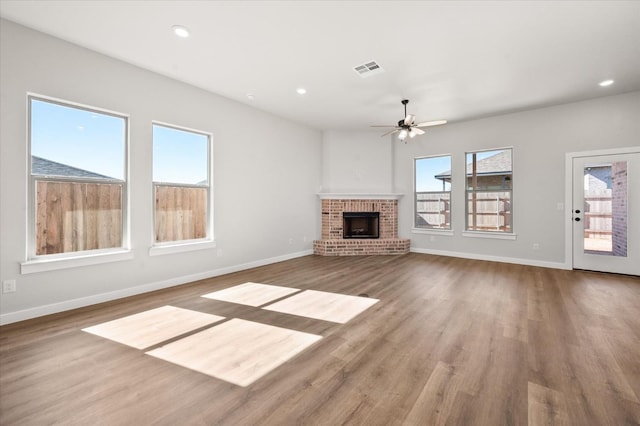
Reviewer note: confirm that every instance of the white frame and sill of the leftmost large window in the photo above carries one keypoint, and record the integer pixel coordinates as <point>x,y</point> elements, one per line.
<point>47,262</point>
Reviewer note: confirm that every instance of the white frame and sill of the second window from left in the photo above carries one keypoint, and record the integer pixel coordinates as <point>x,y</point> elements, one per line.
<point>168,247</point>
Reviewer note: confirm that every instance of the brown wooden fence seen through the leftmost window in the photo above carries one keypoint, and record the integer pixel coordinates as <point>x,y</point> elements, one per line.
<point>73,216</point>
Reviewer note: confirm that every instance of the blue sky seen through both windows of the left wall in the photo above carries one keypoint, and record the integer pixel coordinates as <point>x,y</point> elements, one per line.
<point>95,142</point>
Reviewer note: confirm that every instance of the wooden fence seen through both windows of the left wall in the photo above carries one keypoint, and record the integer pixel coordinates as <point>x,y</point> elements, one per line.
<point>77,216</point>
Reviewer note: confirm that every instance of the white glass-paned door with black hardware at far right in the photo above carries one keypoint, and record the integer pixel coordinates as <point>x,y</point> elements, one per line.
<point>606,212</point>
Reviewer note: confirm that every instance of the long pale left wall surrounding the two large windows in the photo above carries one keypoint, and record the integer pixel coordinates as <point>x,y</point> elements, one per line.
<point>266,174</point>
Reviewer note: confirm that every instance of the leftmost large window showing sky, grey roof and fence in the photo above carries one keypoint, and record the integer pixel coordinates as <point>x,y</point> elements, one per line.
<point>77,178</point>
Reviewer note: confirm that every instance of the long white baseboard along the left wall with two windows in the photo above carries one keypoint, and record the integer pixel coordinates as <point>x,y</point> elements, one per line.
<point>81,302</point>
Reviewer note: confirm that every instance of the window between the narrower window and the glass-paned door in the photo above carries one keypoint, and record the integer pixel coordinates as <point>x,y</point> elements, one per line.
<point>489,190</point>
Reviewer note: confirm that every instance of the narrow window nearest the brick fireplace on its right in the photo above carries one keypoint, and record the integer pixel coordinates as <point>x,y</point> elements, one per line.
<point>433,192</point>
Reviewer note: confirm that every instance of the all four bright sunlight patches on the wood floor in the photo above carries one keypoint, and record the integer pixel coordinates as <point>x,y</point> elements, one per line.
<point>236,351</point>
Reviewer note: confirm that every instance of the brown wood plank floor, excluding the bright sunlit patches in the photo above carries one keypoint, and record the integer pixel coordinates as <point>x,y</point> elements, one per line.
<point>452,341</point>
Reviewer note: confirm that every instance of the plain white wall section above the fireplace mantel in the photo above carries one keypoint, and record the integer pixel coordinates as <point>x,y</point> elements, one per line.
<point>356,162</point>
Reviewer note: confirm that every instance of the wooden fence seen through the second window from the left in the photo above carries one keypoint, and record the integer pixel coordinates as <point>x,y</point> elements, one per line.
<point>181,213</point>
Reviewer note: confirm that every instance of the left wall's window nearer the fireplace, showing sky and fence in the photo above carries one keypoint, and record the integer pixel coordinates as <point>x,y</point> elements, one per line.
<point>181,180</point>
